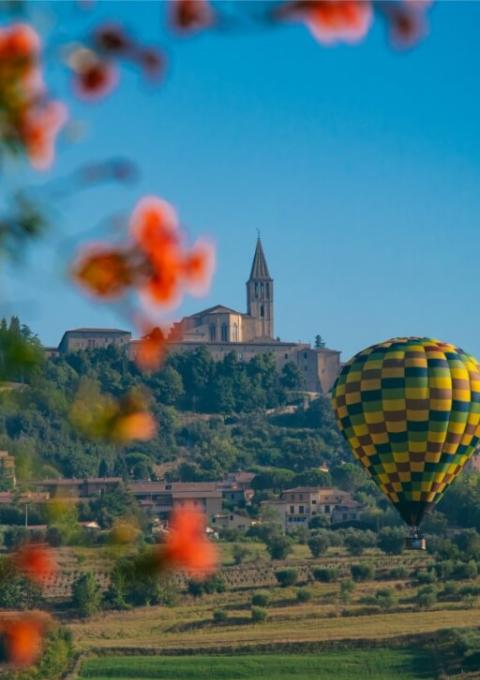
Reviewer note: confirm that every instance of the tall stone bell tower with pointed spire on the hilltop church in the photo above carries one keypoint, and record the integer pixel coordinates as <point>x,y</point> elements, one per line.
<point>260,294</point>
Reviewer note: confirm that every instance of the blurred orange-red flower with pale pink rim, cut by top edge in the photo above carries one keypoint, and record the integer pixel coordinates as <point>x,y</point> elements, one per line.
<point>332,21</point>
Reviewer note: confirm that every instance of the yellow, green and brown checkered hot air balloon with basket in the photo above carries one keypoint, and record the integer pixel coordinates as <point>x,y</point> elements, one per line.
<point>410,410</point>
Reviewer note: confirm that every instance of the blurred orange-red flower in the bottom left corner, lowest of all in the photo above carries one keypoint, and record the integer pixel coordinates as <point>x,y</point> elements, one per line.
<point>22,639</point>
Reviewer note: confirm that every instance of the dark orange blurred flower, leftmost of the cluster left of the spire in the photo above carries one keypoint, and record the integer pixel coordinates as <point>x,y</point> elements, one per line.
<point>103,272</point>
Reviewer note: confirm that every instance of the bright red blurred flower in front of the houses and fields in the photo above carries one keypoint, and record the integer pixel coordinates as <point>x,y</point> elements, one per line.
<point>187,546</point>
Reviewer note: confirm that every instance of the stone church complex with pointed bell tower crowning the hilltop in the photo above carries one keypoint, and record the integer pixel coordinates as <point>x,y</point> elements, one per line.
<point>222,330</point>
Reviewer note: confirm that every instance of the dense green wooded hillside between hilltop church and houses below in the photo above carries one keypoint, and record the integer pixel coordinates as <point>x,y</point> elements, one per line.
<point>212,416</point>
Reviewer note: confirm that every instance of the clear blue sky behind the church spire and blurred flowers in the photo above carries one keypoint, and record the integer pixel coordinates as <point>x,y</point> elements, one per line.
<point>359,165</point>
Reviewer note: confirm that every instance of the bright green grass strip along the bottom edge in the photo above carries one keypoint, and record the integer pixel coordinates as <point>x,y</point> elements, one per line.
<point>377,664</point>
